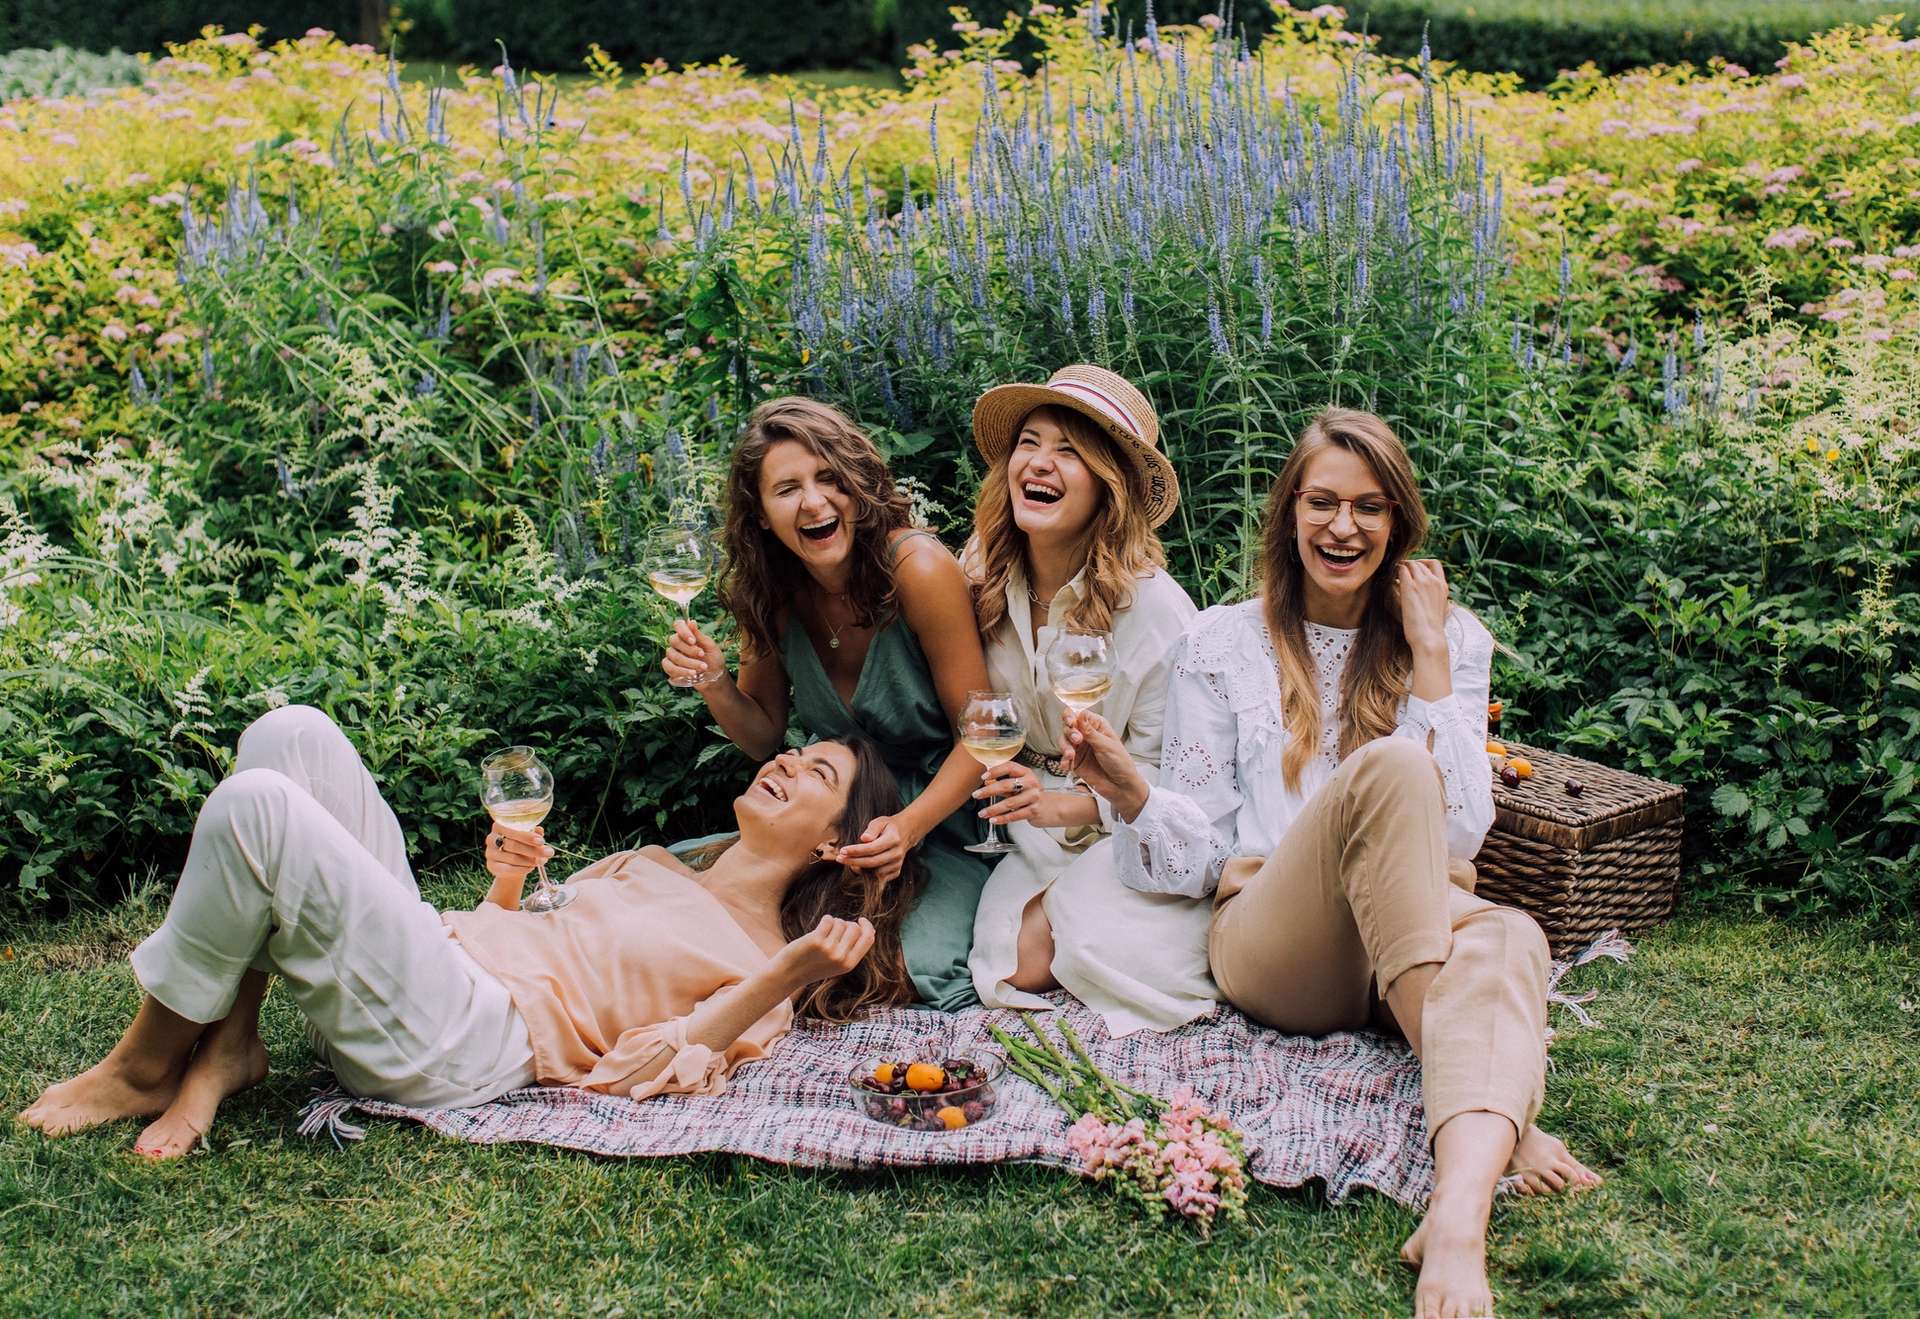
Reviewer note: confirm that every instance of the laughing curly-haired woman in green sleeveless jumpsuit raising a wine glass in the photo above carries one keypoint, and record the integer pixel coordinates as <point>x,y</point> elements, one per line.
<point>853,621</point>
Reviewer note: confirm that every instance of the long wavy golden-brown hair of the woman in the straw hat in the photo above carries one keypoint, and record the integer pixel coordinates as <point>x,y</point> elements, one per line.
<point>1120,542</point>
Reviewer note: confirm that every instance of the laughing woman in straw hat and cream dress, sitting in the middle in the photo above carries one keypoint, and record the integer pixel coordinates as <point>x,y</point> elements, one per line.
<point>1065,542</point>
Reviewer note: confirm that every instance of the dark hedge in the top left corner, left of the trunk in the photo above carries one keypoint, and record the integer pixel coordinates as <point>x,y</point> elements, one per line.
<point>153,24</point>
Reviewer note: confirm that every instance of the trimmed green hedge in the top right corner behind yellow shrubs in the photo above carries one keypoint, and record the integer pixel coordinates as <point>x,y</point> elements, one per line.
<point>1537,39</point>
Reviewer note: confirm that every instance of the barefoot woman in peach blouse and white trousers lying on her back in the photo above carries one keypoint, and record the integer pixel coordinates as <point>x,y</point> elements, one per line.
<point>654,980</point>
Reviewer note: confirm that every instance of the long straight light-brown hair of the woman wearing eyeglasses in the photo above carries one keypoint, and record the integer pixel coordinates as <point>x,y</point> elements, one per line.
<point>1380,673</point>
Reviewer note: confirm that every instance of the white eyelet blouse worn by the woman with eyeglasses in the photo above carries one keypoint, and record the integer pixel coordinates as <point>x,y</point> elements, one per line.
<point>1222,792</point>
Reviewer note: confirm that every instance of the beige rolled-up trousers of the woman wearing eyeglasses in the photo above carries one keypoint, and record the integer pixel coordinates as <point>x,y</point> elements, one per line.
<point>1358,894</point>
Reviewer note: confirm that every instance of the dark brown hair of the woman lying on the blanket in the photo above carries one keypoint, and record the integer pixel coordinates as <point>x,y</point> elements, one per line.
<point>827,888</point>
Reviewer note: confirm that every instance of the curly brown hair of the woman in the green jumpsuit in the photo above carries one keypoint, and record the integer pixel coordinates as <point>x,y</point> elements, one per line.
<point>761,575</point>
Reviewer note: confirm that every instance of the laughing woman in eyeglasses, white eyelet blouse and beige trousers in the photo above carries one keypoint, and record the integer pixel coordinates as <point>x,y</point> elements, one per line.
<point>1326,779</point>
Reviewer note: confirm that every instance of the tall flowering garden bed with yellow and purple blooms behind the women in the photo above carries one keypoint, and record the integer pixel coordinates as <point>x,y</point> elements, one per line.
<point>418,383</point>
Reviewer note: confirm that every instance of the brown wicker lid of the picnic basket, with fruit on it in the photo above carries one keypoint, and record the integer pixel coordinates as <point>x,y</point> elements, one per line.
<point>1612,803</point>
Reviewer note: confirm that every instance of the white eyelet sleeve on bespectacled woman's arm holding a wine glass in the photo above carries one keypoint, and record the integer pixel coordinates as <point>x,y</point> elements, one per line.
<point>1186,832</point>
